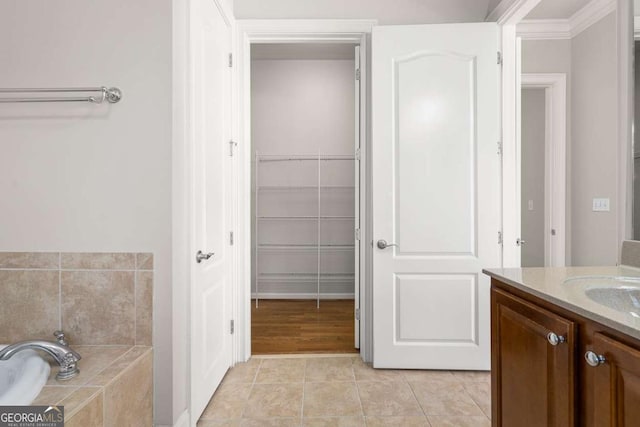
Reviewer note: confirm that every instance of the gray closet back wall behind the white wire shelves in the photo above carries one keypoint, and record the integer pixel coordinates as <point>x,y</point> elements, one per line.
<point>304,107</point>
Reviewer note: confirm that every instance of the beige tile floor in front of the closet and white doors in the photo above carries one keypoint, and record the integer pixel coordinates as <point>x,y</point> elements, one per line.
<point>344,392</point>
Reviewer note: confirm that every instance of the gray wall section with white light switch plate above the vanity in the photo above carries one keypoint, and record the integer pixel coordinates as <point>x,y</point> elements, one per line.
<point>594,143</point>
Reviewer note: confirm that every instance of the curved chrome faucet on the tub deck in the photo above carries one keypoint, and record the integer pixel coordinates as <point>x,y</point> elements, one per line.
<point>62,354</point>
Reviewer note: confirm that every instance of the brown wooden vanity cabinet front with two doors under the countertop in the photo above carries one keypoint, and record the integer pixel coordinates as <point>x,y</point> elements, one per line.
<point>554,367</point>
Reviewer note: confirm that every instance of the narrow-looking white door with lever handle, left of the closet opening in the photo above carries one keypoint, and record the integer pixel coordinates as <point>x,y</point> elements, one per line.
<point>211,301</point>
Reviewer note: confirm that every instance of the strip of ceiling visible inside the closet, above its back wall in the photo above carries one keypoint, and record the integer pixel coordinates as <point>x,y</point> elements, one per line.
<point>303,51</point>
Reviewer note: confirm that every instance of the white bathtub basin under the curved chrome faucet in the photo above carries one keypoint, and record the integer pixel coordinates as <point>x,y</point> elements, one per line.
<point>22,377</point>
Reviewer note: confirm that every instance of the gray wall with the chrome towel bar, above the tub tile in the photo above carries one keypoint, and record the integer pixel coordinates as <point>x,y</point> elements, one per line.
<point>92,178</point>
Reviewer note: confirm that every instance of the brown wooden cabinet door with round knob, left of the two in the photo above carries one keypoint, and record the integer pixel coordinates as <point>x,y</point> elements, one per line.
<point>532,381</point>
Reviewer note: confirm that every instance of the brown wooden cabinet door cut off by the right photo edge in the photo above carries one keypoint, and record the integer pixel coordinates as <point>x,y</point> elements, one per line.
<point>616,383</point>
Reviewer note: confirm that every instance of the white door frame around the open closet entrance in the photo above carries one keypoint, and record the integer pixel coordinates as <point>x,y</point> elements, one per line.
<point>291,31</point>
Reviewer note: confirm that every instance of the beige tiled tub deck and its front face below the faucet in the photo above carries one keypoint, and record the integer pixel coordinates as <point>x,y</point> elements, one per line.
<point>114,388</point>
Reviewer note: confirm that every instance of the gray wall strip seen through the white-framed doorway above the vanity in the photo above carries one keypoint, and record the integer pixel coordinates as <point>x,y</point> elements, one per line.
<point>533,150</point>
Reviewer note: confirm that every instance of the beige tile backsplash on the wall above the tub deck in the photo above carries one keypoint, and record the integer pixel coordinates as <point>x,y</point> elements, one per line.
<point>95,298</point>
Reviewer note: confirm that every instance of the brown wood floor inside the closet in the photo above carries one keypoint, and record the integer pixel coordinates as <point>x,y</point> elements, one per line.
<point>297,326</point>
